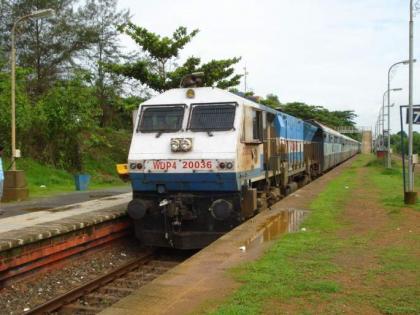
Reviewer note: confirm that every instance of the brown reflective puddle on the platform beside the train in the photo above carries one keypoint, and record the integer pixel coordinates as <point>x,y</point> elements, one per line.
<point>285,222</point>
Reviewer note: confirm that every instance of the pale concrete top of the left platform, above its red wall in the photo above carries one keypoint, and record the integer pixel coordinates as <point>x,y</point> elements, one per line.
<point>31,227</point>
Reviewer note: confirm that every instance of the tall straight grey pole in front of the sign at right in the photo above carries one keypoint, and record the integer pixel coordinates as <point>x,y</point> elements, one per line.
<point>411,195</point>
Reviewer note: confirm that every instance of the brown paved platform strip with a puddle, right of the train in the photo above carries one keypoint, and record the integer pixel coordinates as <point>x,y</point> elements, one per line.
<point>195,283</point>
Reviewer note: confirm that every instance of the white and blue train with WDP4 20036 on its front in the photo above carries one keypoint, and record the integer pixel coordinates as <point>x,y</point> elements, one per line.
<point>202,160</point>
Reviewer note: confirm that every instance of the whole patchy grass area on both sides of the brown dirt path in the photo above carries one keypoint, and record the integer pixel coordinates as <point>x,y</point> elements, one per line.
<point>298,273</point>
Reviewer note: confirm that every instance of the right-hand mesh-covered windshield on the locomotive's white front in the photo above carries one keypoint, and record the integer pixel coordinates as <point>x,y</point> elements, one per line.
<point>212,117</point>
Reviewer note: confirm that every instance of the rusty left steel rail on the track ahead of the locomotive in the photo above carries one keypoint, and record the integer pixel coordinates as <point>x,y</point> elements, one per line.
<point>76,293</point>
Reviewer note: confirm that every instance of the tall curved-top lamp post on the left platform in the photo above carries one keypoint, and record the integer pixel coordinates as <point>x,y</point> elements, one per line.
<point>35,15</point>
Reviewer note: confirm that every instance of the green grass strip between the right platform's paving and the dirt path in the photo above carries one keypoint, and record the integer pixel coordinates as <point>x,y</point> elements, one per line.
<point>299,264</point>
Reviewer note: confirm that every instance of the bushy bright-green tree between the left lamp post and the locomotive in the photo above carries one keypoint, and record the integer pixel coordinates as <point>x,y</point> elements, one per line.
<point>62,120</point>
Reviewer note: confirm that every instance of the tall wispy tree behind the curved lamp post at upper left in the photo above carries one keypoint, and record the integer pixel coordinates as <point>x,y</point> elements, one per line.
<point>49,47</point>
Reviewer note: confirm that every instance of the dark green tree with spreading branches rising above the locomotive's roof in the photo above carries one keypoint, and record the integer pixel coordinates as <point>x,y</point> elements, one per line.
<point>160,53</point>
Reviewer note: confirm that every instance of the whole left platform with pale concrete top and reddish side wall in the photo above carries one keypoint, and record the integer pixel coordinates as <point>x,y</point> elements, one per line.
<point>33,240</point>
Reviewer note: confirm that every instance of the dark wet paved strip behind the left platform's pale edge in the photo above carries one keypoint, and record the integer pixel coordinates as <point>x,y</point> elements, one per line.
<point>48,203</point>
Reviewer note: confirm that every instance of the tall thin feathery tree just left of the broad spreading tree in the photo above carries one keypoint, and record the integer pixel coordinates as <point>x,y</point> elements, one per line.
<point>103,17</point>
